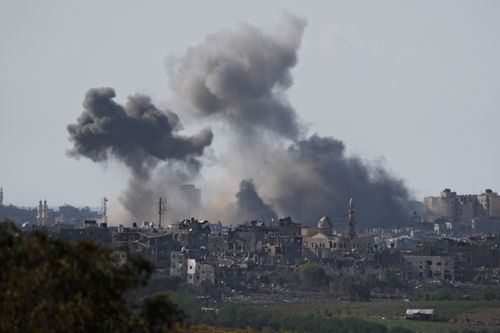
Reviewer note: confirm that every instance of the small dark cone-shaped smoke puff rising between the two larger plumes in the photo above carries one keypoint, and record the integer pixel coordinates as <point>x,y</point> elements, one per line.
<point>250,205</point>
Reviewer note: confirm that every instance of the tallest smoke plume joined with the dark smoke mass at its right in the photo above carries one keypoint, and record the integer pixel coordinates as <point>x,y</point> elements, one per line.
<point>240,77</point>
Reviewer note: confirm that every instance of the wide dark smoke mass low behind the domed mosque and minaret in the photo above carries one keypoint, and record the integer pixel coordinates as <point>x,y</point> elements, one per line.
<point>331,179</point>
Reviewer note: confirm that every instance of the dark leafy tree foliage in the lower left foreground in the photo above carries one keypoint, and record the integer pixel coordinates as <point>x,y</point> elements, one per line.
<point>48,285</point>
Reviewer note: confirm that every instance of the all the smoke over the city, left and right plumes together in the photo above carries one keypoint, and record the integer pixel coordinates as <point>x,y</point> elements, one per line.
<point>238,78</point>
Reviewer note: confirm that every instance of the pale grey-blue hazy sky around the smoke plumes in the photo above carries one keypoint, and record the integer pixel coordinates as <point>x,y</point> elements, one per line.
<point>416,83</point>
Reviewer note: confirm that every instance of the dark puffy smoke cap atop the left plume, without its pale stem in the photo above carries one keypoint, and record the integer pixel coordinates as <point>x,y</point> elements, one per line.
<point>137,134</point>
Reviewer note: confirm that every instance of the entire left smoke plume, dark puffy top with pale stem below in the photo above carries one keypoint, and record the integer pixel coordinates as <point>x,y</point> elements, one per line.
<point>141,136</point>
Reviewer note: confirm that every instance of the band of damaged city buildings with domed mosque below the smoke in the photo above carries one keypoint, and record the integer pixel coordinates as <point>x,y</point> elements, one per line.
<point>456,241</point>
